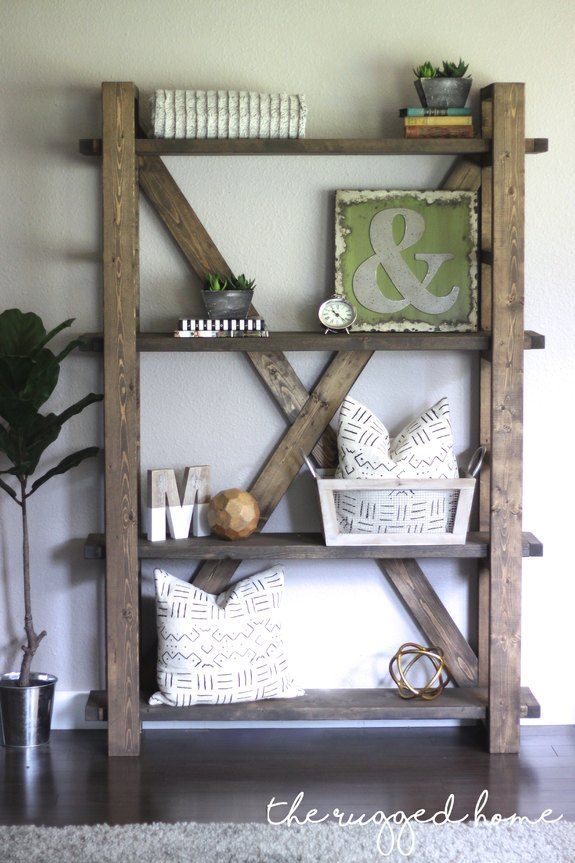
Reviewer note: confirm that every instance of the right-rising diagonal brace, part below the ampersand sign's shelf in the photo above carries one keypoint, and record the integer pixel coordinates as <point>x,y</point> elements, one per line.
<point>284,464</point>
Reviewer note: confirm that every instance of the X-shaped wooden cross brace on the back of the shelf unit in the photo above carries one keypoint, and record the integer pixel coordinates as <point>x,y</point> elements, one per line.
<point>309,415</point>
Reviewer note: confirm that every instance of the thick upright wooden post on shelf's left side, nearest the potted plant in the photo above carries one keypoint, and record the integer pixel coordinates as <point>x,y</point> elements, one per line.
<point>121,414</point>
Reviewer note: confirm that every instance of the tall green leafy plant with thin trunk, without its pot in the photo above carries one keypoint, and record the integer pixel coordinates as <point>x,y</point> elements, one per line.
<point>29,373</point>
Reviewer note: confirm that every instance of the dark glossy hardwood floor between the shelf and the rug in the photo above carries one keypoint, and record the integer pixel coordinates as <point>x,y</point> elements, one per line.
<point>230,775</point>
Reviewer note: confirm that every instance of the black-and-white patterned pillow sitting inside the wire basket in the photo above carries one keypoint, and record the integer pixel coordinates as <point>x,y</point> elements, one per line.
<point>422,450</point>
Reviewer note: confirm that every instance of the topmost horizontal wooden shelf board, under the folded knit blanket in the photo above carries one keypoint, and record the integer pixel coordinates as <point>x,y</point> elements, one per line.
<point>311,146</point>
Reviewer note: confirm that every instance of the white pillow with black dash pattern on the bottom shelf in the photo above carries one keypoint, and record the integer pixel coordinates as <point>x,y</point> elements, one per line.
<point>221,649</point>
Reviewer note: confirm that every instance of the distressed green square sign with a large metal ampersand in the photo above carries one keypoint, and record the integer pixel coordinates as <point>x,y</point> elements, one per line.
<point>408,260</point>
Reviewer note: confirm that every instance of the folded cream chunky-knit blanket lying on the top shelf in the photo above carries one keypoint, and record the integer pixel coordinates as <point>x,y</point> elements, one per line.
<point>227,114</point>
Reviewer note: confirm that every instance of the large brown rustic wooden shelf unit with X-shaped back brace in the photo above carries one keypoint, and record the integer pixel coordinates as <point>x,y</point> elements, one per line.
<point>488,678</point>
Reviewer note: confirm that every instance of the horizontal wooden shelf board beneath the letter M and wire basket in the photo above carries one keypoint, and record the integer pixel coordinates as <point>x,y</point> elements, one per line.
<point>298,546</point>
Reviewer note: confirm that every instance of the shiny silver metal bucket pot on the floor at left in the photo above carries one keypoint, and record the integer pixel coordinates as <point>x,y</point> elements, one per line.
<point>26,711</point>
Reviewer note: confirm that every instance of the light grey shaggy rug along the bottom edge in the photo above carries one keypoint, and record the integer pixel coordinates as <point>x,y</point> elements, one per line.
<point>256,843</point>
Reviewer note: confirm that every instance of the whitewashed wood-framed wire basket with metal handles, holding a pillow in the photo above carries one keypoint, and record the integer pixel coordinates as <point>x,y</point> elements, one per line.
<point>396,511</point>
